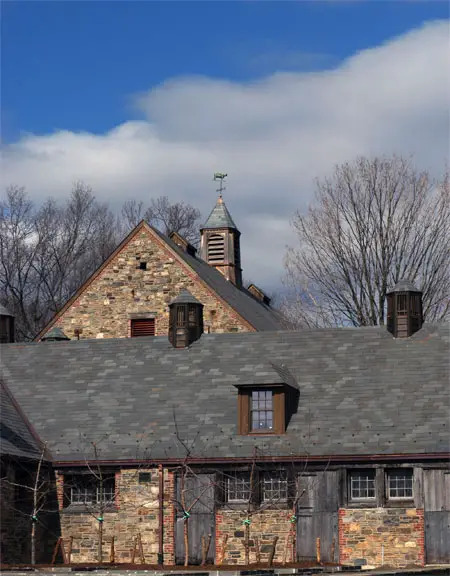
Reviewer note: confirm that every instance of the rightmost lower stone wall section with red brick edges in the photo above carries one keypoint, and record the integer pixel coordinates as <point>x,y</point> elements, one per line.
<point>382,536</point>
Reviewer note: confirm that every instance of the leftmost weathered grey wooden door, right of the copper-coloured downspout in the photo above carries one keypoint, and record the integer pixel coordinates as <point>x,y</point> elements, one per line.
<point>199,504</point>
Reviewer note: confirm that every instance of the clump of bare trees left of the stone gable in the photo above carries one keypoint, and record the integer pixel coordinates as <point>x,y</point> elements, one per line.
<point>46,253</point>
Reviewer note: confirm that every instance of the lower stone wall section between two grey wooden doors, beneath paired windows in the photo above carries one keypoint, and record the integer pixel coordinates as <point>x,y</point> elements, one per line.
<point>264,526</point>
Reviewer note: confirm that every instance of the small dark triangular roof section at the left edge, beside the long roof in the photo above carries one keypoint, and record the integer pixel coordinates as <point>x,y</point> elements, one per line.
<point>16,438</point>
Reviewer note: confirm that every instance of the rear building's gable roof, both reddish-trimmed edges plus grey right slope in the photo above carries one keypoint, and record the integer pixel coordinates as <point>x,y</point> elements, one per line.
<point>256,314</point>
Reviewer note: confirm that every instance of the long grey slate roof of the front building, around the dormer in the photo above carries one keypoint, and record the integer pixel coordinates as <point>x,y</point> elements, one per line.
<point>361,392</point>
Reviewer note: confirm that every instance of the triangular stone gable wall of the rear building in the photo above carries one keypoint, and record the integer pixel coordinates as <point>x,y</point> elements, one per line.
<point>122,289</point>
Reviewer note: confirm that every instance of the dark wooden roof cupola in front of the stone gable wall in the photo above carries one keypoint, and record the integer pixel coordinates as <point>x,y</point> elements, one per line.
<point>185,320</point>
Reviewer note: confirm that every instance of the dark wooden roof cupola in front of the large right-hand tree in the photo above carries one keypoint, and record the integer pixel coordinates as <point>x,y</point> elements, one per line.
<point>404,309</point>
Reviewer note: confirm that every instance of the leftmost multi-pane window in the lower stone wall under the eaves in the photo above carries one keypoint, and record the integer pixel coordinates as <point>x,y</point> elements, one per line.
<point>87,490</point>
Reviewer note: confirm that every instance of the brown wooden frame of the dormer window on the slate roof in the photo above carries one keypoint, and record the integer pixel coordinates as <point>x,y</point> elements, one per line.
<point>279,410</point>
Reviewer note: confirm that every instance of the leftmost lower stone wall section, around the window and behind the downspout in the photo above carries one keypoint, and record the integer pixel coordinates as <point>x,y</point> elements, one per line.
<point>136,512</point>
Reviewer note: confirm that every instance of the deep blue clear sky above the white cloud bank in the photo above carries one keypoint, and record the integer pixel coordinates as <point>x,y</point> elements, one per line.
<point>74,65</point>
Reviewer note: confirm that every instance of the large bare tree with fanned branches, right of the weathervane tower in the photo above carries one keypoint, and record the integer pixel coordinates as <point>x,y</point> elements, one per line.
<point>374,222</point>
